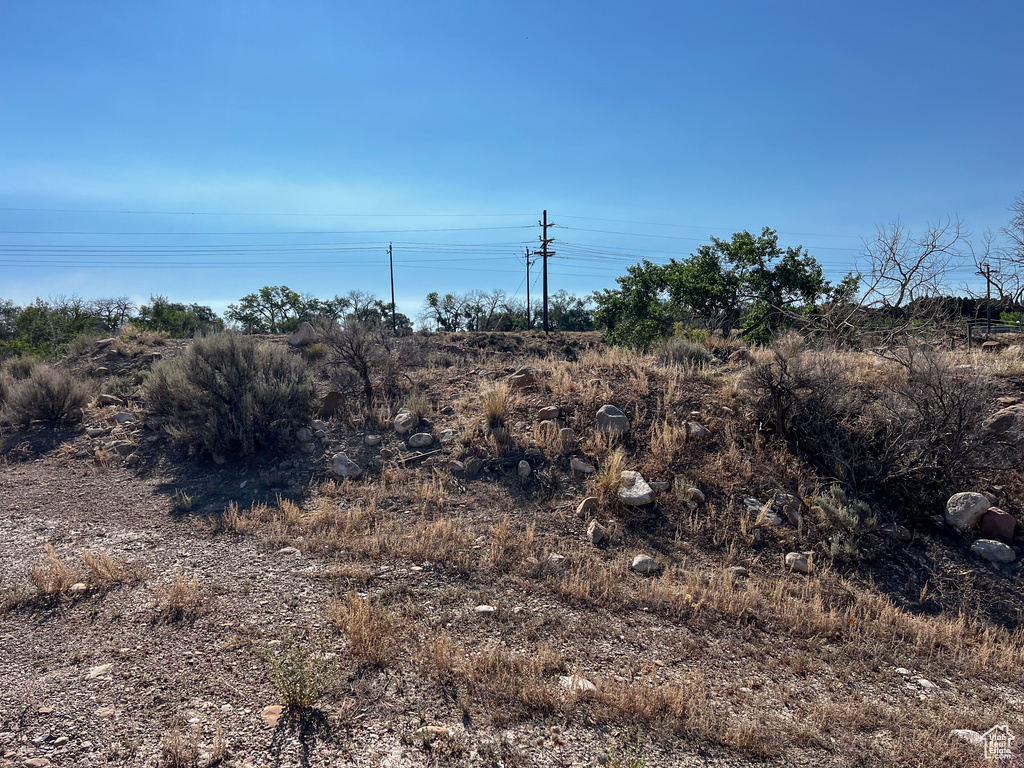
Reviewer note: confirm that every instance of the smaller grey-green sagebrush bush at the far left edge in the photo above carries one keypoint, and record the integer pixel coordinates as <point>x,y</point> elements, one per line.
<point>49,395</point>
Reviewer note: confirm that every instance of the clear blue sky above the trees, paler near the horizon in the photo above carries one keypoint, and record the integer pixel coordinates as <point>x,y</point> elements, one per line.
<point>448,127</point>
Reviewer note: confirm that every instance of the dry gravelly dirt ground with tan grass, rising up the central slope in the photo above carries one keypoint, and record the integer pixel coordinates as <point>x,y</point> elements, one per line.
<point>459,615</point>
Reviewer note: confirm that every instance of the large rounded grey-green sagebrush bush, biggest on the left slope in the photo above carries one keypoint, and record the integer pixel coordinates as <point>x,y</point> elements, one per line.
<point>230,396</point>
